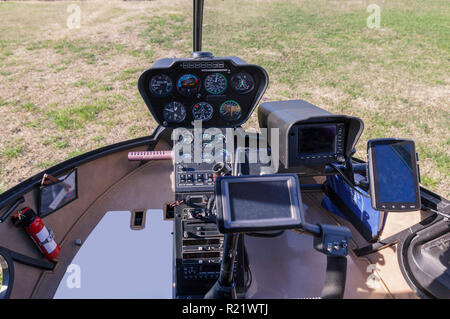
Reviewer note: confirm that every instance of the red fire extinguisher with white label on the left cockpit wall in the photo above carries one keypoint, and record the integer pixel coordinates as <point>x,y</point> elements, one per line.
<point>41,235</point>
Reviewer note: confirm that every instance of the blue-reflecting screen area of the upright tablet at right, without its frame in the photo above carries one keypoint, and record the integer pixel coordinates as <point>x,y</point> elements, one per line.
<point>396,179</point>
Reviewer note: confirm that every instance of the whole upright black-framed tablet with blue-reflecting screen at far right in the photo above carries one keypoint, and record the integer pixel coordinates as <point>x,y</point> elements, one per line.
<point>393,175</point>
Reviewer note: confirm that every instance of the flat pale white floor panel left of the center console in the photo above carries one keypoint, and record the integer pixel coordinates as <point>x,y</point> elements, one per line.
<point>118,262</point>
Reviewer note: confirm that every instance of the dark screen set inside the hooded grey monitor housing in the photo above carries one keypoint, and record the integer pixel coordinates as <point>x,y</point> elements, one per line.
<point>317,139</point>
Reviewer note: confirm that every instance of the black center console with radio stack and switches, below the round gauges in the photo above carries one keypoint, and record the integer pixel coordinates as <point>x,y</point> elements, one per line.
<point>198,244</point>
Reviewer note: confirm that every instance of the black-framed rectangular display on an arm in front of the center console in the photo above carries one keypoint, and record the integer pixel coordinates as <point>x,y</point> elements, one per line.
<point>258,203</point>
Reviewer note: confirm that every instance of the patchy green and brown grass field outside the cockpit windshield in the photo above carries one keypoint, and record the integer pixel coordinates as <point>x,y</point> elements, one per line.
<point>67,91</point>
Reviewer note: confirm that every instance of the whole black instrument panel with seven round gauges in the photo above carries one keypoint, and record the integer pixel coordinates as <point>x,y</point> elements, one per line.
<point>219,92</point>
